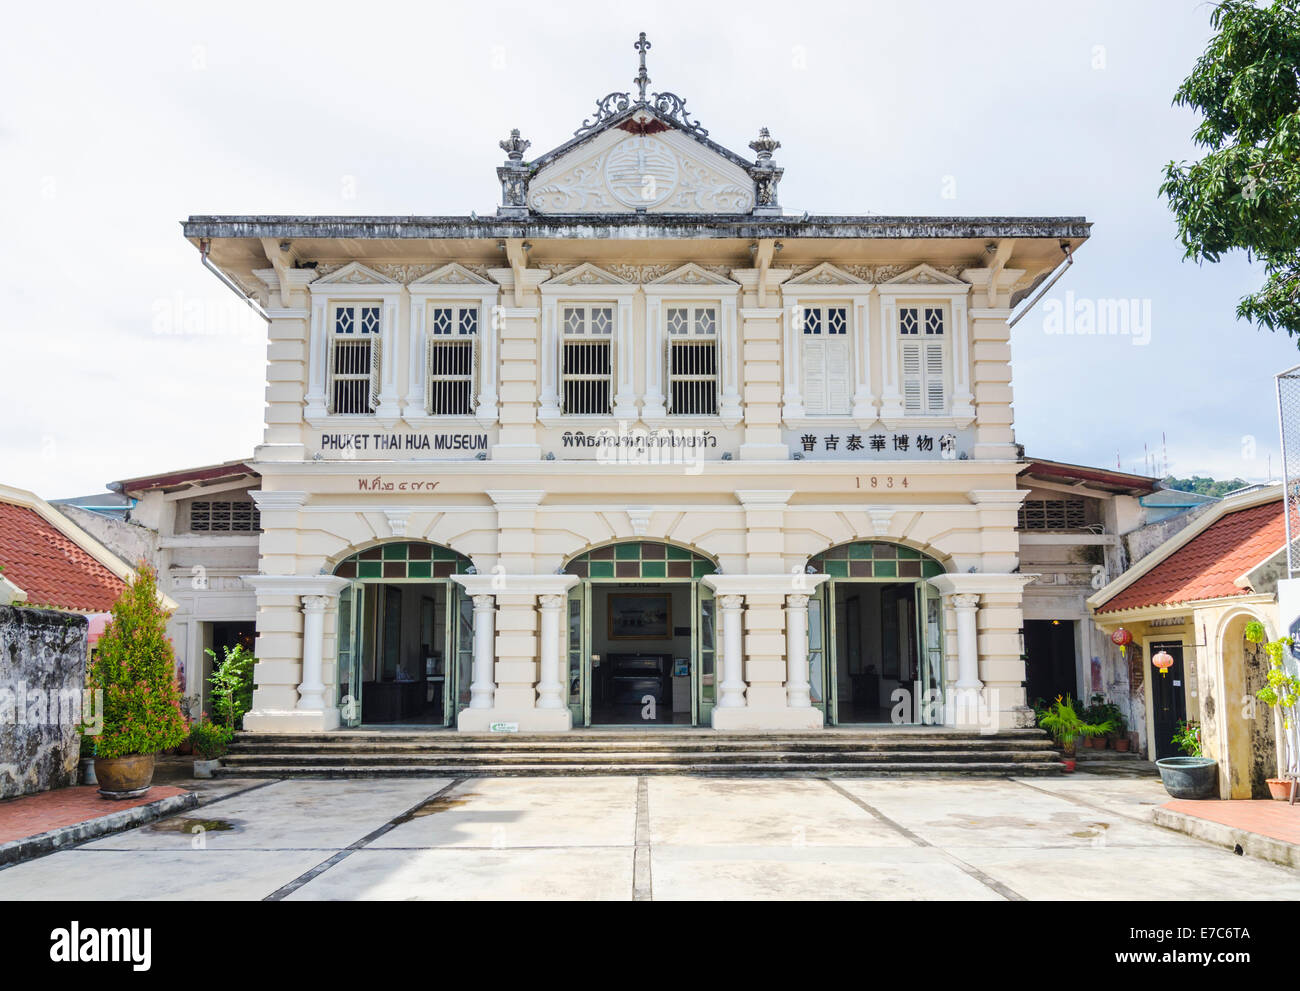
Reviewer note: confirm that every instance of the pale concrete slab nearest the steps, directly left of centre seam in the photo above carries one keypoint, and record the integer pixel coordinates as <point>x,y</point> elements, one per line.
<point>500,813</point>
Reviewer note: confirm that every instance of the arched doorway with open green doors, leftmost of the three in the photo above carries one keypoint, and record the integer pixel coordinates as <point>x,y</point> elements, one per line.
<point>405,635</point>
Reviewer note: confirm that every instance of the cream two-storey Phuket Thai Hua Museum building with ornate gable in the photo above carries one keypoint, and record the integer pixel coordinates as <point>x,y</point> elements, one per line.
<point>640,448</point>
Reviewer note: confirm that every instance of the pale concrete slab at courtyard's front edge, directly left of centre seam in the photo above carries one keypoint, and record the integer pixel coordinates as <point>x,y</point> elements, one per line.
<point>547,875</point>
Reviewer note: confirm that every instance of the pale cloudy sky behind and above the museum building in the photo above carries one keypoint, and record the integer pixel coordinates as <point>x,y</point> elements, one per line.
<point>124,357</point>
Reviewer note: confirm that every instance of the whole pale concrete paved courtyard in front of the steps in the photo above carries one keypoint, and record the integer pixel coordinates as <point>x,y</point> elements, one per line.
<point>1081,837</point>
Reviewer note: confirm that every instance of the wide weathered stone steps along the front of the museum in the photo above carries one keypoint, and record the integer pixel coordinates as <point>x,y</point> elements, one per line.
<point>860,752</point>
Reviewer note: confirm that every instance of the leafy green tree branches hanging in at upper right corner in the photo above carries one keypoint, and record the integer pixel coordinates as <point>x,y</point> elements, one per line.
<point>1246,193</point>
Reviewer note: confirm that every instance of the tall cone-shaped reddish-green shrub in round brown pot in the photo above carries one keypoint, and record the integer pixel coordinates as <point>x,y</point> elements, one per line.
<point>136,672</point>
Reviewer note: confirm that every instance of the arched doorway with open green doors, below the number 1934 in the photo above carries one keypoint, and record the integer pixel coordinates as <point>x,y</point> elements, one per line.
<point>876,635</point>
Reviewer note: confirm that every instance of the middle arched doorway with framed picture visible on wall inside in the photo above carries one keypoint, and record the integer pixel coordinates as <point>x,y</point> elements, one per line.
<point>640,631</point>
